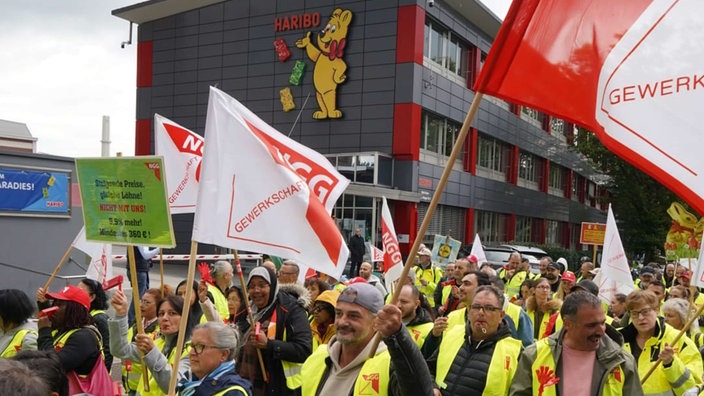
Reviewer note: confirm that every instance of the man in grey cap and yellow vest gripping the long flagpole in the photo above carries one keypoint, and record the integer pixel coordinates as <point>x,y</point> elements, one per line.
<point>343,366</point>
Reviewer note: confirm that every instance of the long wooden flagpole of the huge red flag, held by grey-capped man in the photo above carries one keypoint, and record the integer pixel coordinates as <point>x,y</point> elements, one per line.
<point>456,149</point>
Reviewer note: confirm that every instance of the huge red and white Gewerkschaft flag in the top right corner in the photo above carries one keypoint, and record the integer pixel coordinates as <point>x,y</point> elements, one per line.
<point>629,71</point>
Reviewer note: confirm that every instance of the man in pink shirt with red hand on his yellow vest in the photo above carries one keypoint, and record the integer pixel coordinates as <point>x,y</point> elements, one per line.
<point>583,359</point>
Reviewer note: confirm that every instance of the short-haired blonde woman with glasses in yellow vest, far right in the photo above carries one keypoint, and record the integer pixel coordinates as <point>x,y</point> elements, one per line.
<point>649,338</point>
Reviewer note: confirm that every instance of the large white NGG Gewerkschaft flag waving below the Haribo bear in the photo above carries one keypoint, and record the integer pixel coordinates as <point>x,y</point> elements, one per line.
<point>263,192</point>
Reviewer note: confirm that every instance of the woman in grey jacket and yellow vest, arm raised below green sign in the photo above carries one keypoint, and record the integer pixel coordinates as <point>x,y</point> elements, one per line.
<point>158,350</point>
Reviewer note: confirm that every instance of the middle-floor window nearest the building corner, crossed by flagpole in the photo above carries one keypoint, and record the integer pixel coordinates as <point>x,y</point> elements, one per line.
<point>438,136</point>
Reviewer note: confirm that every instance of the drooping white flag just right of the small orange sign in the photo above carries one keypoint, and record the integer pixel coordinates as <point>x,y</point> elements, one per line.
<point>615,275</point>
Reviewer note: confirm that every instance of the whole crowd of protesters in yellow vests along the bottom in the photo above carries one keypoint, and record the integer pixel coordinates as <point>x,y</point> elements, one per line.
<point>465,328</point>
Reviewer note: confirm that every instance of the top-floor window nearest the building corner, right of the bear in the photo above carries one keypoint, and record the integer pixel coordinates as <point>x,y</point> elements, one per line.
<point>445,49</point>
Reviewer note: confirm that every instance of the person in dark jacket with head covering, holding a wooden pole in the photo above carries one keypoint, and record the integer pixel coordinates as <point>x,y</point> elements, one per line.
<point>284,336</point>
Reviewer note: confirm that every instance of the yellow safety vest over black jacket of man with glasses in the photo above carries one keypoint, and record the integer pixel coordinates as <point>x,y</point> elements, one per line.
<point>502,367</point>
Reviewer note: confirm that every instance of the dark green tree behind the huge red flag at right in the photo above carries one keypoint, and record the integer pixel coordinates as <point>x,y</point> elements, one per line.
<point>639,202</point>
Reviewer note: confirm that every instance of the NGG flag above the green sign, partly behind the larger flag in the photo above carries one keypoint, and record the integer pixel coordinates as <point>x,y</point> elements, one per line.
<point>182,150</point>
